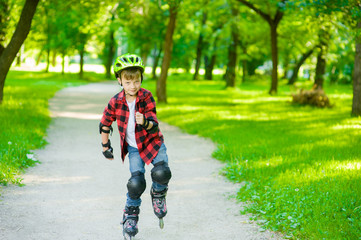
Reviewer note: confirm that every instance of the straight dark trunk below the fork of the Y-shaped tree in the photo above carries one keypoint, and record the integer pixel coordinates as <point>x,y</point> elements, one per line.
<point>274,50</point>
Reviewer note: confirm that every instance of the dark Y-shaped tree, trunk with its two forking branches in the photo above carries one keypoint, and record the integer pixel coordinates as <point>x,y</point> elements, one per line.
<point>273,22</point>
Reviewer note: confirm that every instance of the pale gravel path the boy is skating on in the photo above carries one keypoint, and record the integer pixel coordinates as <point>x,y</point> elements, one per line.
<point>76,194</point>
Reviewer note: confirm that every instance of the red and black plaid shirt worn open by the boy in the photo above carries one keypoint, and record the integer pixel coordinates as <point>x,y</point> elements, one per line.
<point>148,143</point>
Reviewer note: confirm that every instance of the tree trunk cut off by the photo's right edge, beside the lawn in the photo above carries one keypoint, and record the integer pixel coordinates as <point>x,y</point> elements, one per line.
<point>356,101</point>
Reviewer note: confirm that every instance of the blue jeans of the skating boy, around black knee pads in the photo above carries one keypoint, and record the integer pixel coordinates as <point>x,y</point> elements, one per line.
<point>137,164</point>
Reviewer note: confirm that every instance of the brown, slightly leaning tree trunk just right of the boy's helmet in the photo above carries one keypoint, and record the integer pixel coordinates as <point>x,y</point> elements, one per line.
<point>168,46</point>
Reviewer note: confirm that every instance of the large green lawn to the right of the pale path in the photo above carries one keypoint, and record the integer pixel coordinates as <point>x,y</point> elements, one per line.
<point>300,165</point>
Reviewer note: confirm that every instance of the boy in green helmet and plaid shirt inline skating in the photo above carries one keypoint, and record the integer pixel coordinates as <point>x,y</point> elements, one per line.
<point>134,110</point>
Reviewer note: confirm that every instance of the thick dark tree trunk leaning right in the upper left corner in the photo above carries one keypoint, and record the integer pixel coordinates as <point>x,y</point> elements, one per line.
<point>19,36</point>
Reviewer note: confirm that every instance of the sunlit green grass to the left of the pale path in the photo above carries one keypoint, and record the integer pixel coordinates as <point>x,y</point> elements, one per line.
<point>24,118</point>
